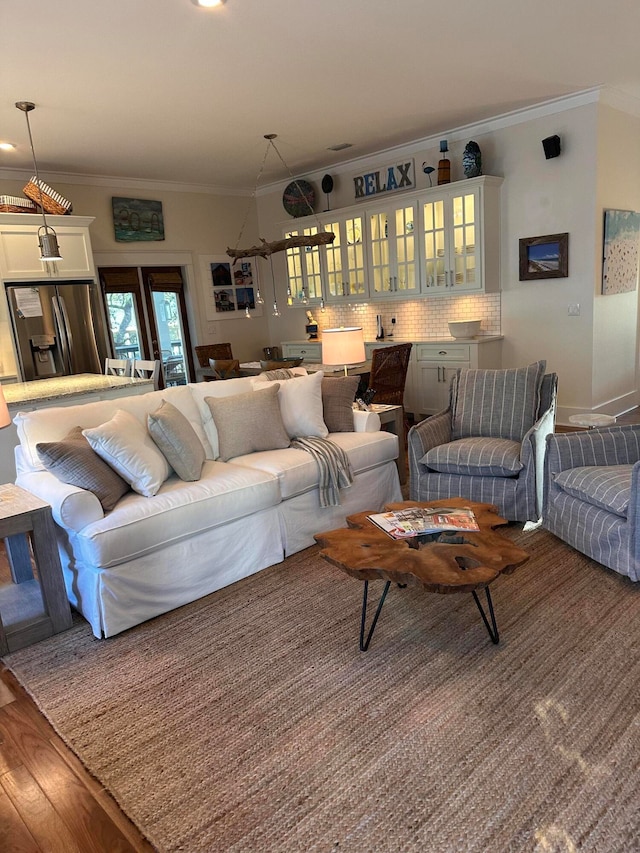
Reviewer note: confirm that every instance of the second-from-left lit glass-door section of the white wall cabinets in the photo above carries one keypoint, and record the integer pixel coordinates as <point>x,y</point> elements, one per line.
<point>344,261</point>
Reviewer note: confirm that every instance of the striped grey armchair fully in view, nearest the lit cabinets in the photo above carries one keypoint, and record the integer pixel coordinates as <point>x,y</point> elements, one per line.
<point>489,444</point>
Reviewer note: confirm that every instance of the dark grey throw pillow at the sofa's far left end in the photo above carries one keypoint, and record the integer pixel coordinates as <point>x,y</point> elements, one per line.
<point>72,460</point>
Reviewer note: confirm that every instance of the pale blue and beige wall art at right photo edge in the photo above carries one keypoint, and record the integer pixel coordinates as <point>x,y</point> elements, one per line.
<point>620,251</point>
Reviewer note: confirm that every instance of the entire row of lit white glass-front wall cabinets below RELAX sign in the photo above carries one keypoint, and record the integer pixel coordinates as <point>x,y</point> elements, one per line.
<point>440,241</point>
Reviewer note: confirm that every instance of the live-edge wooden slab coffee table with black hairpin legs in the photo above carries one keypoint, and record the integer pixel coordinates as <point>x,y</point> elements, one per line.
<point>449,562</point>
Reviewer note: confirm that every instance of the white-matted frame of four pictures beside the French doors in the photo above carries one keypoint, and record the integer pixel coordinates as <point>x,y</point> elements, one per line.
<point>231,290</point>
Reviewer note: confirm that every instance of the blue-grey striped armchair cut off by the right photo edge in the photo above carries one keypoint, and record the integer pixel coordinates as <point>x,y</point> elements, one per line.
<point>592,494</point>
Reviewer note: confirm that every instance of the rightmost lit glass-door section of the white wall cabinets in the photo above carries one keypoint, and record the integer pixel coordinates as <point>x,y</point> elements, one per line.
<point>459,238</point>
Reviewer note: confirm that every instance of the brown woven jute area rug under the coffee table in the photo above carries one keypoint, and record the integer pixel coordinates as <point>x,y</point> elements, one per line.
<point>250,721</point>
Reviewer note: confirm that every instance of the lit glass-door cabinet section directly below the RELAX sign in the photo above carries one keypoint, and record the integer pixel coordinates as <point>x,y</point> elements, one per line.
<point>392,257</point>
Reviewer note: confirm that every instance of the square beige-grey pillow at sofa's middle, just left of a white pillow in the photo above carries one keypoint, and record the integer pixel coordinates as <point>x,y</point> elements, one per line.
<point>248,422</point>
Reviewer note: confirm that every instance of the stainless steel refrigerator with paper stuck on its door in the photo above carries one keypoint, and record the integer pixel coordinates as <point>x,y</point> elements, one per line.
<point>59,329</point>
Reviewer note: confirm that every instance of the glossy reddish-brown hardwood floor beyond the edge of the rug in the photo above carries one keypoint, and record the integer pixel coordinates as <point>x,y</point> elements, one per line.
<point>48,801</point>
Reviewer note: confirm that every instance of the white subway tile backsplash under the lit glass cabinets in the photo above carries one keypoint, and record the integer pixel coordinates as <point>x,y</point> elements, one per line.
<point>418,319</point>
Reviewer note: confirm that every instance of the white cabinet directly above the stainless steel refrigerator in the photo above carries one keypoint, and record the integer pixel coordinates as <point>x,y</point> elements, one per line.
<point>20,251</point>
